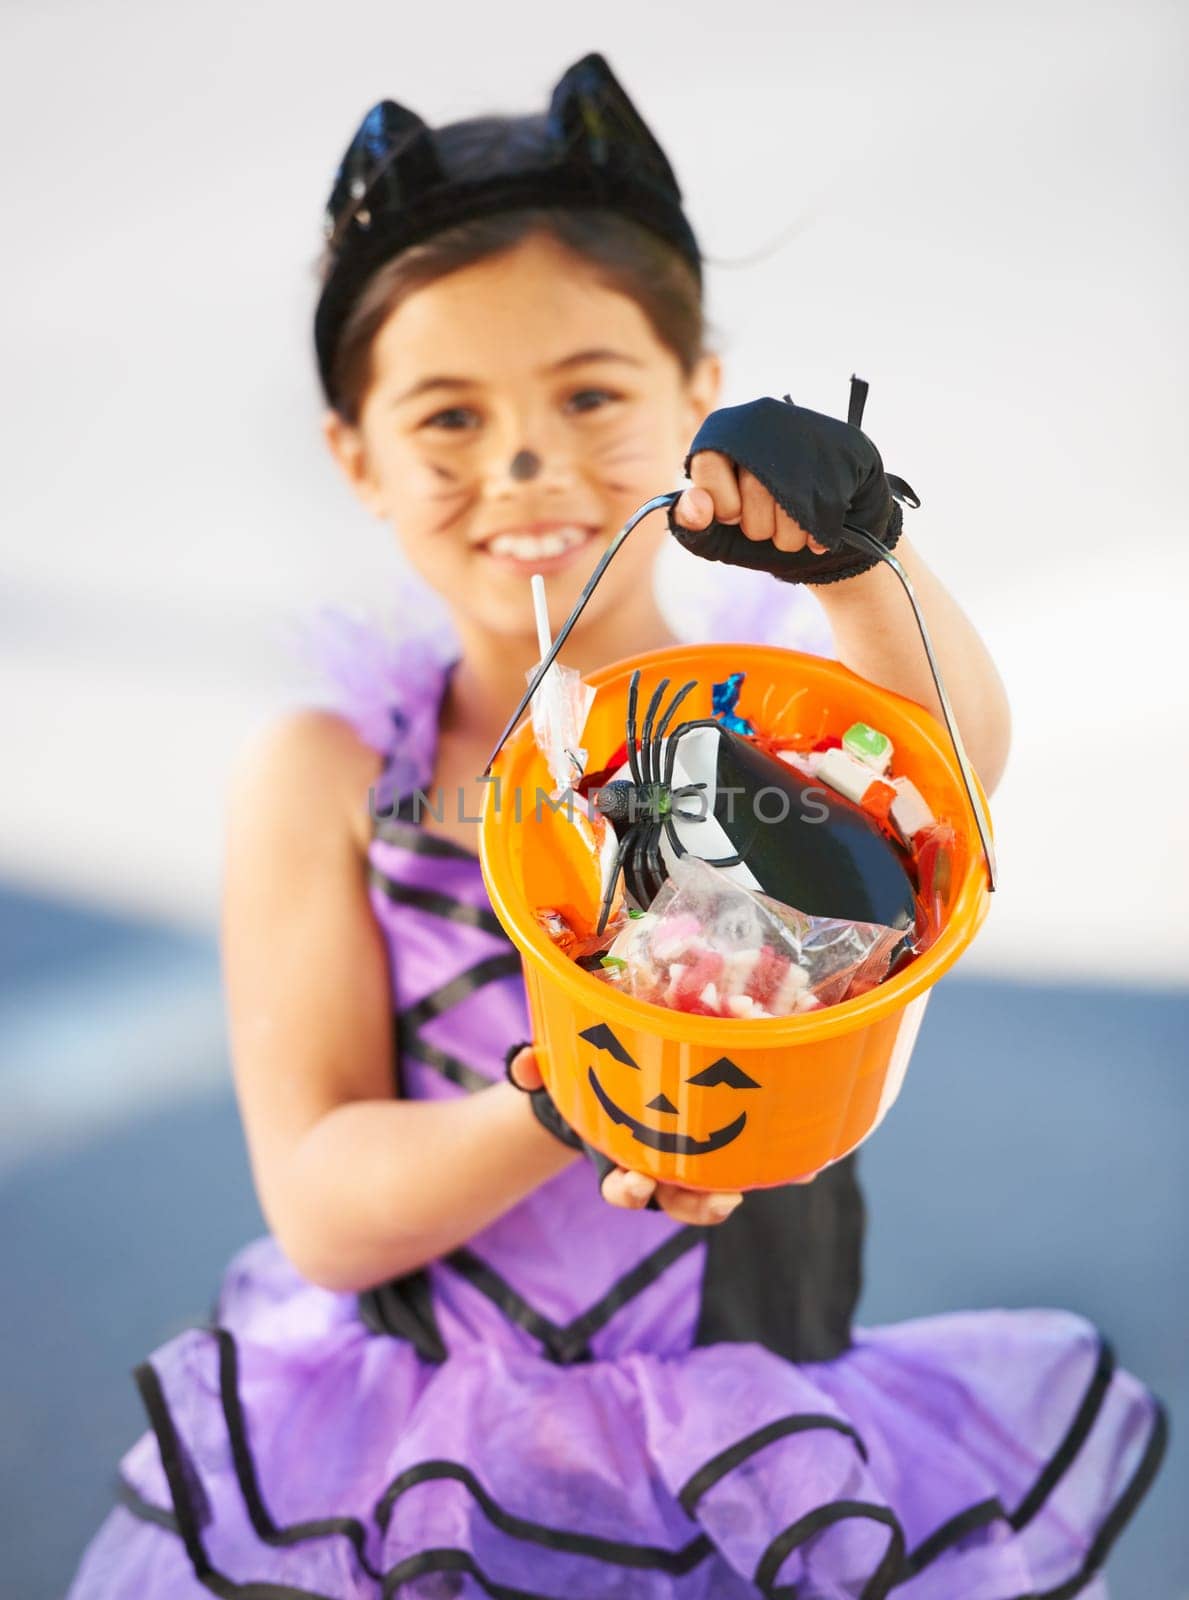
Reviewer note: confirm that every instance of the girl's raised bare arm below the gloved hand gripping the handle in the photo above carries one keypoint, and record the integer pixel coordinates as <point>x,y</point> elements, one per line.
<point>878,638</point>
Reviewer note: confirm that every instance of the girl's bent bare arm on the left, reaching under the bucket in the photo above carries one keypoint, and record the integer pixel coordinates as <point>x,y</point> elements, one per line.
<point>356,1185</point>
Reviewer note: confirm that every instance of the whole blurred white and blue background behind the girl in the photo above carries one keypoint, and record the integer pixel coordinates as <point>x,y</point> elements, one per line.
<point>982,210</point>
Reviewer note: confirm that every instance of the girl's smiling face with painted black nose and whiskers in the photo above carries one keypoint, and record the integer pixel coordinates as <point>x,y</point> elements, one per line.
<point>519,414</point>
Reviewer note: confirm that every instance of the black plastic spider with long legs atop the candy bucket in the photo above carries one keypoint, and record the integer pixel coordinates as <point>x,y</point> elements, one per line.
<point>646,807</point>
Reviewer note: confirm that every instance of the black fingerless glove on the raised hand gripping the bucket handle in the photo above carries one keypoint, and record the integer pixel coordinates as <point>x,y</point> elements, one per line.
<point>820,471</point>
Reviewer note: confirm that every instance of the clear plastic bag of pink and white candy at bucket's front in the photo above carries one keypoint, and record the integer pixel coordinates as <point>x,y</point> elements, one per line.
<point>719,950</point>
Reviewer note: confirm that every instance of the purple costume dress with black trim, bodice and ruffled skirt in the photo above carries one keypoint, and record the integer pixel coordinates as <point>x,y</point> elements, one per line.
<point>585,1402</point>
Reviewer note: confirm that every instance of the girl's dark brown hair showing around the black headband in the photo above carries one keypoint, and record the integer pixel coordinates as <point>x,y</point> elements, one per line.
<point>627,257</point>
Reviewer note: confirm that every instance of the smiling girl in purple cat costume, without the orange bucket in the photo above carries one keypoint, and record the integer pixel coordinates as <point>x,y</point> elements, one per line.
<point>460,1367</point>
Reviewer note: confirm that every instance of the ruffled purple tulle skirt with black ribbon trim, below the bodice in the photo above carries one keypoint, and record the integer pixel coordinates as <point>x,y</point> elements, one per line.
<point>297,1455</point>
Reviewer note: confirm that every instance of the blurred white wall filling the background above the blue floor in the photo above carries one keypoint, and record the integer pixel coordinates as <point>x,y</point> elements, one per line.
<point>982,212</point>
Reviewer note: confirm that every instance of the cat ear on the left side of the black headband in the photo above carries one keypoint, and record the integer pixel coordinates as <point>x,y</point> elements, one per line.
<point>390,161</point>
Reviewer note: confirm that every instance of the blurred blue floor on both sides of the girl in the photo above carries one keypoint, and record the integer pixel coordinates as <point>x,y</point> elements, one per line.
<point>1035,1159</point>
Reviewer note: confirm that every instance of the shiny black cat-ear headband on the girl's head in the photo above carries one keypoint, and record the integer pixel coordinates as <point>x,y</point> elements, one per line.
<point>391,190</point>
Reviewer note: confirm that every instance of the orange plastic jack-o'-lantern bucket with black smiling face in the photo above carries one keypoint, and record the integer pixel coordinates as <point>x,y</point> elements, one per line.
<point>758,1102</point>
